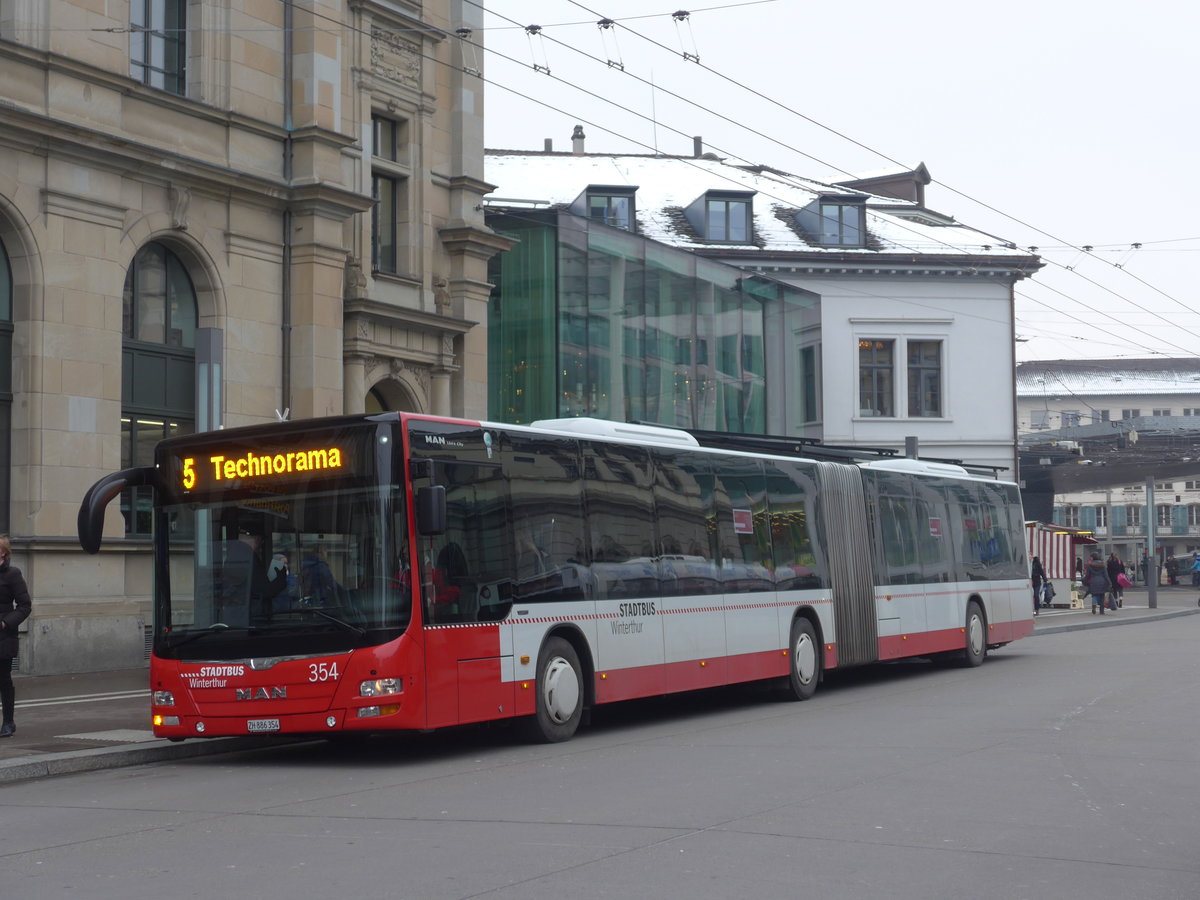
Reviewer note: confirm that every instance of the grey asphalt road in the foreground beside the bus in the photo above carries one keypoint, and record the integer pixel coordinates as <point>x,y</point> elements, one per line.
<point>1066,767</point>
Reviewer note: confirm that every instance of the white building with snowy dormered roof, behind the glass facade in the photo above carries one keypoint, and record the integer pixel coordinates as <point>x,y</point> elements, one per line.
<point>909,331</point>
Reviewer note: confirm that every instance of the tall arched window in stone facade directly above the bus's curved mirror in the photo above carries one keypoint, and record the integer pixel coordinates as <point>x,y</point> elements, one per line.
<point>158,368</point>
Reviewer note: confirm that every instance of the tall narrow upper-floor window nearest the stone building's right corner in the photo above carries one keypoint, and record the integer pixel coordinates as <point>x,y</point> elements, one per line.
<point>389,190</point>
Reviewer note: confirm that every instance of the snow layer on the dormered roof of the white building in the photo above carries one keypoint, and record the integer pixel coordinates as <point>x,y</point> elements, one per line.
<point>669,184</point>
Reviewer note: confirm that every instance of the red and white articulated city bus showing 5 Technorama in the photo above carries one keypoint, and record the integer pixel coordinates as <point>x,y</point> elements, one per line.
<point>412,573</point>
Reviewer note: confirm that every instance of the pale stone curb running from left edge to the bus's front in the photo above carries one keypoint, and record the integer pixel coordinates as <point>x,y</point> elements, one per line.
<point>112,758</point>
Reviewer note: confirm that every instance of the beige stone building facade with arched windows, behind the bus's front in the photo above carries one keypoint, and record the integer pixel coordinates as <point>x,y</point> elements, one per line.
<point>213,213</point>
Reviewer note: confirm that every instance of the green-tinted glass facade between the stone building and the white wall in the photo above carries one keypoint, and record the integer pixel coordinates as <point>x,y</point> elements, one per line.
<point>591,320</point>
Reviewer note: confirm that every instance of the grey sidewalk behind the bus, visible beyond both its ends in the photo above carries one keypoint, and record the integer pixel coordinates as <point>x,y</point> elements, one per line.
<point>81,723</point>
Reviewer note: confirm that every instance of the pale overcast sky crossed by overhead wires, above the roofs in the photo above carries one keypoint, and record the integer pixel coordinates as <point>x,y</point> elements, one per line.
<point>1075,122</point>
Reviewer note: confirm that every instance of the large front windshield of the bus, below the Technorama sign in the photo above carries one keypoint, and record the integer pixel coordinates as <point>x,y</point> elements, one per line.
<point>283,575</point>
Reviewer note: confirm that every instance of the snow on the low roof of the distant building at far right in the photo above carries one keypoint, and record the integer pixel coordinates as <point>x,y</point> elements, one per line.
<point>1108,377</point>
